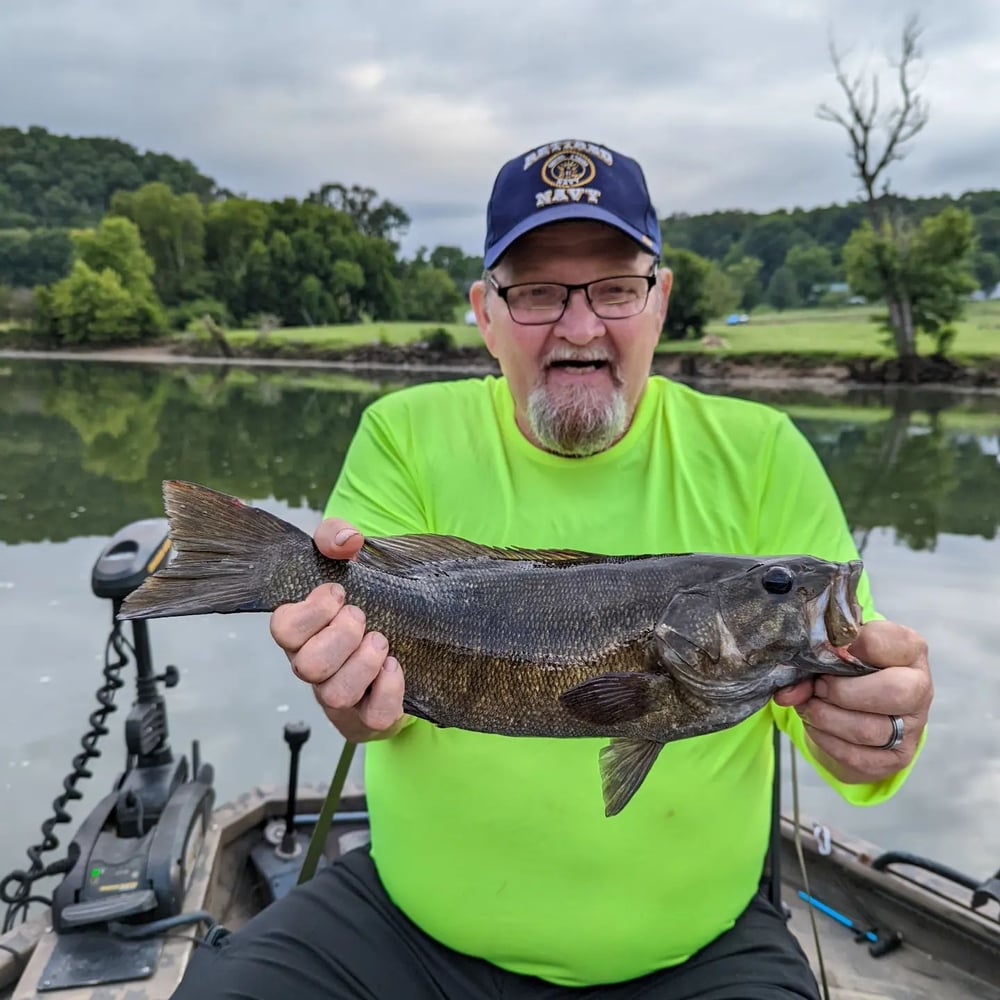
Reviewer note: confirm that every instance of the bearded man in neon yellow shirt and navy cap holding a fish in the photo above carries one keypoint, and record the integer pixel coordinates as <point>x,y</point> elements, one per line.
<point>493,870</point>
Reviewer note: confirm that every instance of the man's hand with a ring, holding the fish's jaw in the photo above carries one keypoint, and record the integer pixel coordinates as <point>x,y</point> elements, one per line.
<point>848,719</point>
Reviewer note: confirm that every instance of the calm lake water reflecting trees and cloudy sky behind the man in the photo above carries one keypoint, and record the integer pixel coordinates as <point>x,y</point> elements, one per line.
<point>83,450</point>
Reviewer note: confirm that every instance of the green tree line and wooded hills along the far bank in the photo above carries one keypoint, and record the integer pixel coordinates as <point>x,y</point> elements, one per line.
<point>121,244</point>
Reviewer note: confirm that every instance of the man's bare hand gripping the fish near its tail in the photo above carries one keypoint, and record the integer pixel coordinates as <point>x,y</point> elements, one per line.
<point>355,680</point>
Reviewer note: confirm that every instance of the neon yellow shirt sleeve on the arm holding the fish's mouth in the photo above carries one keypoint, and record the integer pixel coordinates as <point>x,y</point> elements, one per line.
<point>800,513</point>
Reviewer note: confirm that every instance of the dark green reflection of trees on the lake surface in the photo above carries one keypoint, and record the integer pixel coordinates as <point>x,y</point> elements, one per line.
<point>85,446</point>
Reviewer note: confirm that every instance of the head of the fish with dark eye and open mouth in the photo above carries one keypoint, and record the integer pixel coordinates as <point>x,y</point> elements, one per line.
<point>779,621</point>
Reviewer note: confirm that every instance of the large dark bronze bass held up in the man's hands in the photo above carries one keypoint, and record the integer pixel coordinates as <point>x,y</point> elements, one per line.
<point>640,649</point>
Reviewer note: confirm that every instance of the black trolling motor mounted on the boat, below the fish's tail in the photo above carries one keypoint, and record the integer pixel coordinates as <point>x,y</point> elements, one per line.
<point>130,861</point>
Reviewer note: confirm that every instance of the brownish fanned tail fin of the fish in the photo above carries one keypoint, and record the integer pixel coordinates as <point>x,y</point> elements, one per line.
<point>224,552</point>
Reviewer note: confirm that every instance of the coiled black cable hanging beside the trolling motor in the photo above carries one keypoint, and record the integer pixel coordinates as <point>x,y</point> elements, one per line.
<point>17,888</point>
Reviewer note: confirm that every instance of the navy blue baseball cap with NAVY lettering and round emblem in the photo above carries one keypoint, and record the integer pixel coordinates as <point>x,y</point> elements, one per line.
<point>569,179</point>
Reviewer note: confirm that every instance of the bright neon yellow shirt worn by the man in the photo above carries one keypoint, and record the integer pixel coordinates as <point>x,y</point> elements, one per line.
<point>499,847</point>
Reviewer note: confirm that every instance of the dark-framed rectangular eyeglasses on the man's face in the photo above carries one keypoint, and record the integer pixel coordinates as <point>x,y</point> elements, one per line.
<point>538,303</point>
